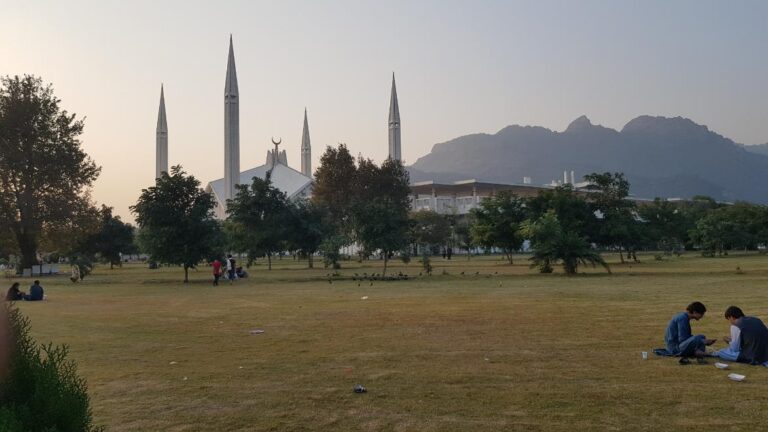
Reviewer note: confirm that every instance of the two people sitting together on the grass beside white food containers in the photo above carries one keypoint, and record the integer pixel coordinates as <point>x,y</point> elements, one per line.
<point>747,343</point>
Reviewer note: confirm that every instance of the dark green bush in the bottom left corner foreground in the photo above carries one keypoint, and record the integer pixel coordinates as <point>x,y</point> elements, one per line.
<point>40,391</point>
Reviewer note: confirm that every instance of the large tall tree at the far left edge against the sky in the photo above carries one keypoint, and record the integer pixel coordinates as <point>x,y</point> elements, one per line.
<point>43,170</point>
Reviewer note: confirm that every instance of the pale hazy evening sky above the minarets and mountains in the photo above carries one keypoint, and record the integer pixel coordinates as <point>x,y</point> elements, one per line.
<point>461,67</point>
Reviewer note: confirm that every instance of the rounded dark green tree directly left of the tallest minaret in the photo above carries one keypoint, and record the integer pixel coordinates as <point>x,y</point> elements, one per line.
<point>176,221</point>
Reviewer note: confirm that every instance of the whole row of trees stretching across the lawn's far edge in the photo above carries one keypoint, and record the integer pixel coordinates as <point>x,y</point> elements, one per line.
<point>356,206</point>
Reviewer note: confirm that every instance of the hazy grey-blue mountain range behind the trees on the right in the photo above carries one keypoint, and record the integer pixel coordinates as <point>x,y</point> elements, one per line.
<point>665,157</point>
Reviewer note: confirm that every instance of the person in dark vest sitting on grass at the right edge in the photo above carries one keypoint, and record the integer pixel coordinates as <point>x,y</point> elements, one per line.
<point>748,342</point>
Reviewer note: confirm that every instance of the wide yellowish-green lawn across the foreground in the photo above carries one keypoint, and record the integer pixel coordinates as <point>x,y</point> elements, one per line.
<point>509,351</point>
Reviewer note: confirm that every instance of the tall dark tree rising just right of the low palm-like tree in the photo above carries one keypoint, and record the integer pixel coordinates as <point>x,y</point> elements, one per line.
<point>618,226</point>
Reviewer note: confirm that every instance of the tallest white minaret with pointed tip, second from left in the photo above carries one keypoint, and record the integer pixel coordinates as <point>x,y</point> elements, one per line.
<point>231,128</point>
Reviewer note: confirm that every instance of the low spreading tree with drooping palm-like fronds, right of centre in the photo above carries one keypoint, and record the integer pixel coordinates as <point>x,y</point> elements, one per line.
<point>552,244</point>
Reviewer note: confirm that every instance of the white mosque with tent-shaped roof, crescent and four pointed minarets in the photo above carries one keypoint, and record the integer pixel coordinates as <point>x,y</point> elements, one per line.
<point>295,184</point>
